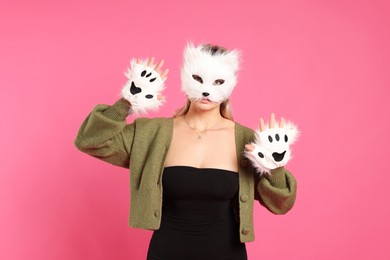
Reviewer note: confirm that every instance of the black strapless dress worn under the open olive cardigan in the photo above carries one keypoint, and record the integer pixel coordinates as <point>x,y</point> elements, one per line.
<point>197,216</point>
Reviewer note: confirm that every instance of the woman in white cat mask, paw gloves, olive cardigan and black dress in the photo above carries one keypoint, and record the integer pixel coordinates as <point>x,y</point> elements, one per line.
<point>205,209</point>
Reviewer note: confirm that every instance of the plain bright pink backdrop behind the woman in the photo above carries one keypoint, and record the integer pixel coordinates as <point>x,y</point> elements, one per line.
<point>322,64</point>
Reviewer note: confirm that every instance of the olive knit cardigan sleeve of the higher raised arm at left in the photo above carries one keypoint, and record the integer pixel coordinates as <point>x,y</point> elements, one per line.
<point>105,135</point>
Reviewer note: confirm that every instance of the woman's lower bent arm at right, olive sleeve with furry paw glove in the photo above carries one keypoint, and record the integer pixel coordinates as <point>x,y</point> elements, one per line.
<point>275,187</point>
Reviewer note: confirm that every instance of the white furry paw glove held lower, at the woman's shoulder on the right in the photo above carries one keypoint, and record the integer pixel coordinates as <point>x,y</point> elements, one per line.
<point>272,147</point>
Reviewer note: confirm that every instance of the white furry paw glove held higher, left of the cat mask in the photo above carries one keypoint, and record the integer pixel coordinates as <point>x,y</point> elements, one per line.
<point>143,88</point>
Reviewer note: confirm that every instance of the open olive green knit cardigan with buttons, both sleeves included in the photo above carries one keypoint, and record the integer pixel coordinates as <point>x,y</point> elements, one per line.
<point>142,147</point>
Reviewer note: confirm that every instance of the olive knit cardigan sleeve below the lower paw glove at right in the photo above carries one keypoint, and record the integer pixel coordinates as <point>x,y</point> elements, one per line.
<point>276,191</point>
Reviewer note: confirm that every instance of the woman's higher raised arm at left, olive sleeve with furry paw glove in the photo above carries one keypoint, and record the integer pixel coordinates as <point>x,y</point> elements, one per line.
<point>104,134</point>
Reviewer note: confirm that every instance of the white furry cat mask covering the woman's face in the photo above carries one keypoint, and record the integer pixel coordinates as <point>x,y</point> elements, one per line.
<point>209,75</point>
